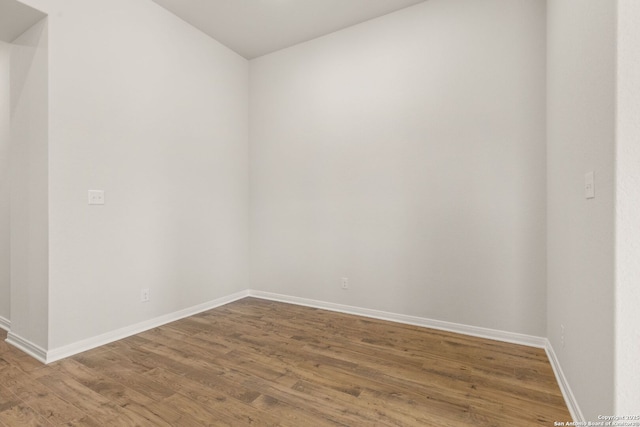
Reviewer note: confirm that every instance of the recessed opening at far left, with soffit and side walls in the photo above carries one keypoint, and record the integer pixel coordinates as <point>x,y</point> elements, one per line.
<point>23,172</point>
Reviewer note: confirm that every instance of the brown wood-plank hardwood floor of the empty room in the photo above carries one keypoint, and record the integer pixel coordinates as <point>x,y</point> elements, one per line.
<point>255,362</point>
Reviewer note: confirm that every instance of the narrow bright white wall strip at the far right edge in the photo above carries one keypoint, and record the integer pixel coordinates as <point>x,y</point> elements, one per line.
<point>627,325</point>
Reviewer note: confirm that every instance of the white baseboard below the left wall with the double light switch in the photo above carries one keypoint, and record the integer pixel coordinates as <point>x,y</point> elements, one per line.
<point>109,337</point>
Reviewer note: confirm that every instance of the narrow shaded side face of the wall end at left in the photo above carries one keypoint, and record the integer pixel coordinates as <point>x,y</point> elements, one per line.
<point>30,186</point>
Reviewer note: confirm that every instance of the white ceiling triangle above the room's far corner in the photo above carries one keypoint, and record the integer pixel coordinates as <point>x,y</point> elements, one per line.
<point>256,27</point>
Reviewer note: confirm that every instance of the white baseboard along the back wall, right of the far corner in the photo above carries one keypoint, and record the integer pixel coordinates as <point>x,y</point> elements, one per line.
<point>493,334</point>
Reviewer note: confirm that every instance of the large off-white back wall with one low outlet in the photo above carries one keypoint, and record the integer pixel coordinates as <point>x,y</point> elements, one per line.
<point>407,154</point>
